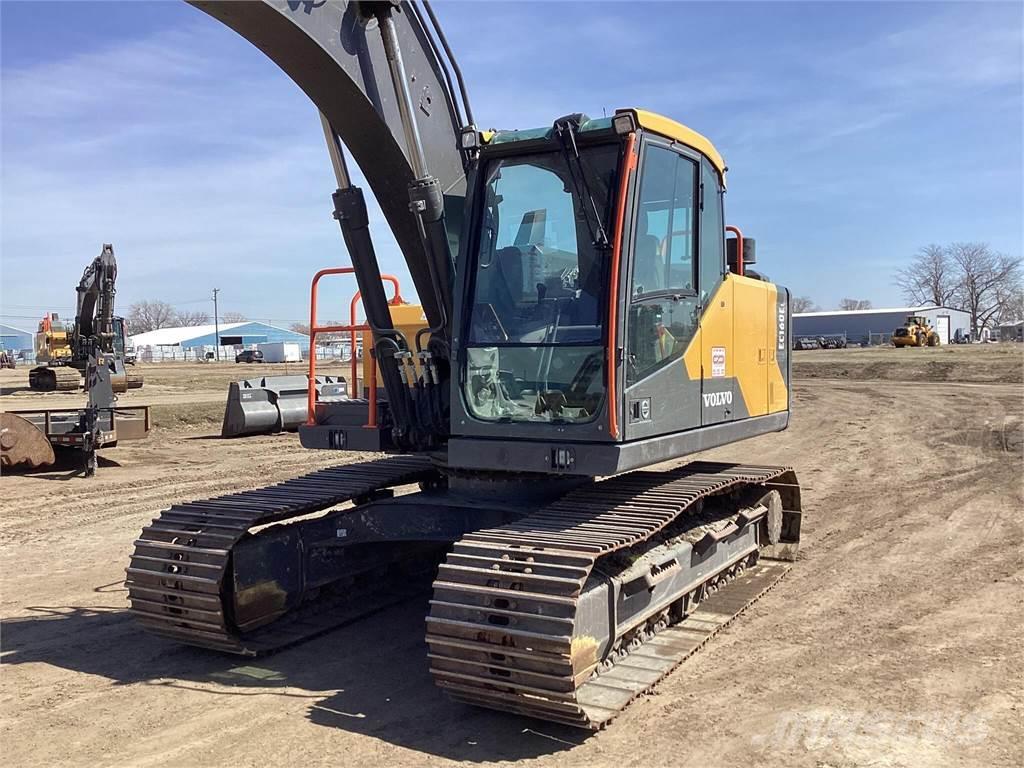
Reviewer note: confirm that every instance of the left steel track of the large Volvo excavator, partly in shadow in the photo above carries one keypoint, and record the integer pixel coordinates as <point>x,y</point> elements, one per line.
<point>180,579</point>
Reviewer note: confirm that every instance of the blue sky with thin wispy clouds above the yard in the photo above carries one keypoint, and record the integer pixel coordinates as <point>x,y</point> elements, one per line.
<point>855,133</point>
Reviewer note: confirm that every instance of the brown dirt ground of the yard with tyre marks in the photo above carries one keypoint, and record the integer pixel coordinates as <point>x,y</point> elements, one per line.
<point>895,642</point>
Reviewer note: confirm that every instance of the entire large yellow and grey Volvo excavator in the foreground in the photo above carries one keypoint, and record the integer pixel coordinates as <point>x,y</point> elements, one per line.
<point>586,319</point>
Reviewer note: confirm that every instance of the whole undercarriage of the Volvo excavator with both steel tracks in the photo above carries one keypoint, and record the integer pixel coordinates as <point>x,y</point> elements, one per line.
<point>562,603</point>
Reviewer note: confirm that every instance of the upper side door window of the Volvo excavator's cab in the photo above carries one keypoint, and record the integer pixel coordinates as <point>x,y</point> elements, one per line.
<point>666,243</point>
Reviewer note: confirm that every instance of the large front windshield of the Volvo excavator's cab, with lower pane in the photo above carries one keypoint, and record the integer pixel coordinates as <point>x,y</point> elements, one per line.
<point>539,298</point>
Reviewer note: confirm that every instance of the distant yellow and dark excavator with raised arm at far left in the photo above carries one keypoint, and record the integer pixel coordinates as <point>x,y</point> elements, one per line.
<point>65,353</point>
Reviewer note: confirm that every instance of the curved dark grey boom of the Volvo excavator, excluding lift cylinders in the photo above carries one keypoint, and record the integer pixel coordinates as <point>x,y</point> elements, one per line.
<point>335,53</point>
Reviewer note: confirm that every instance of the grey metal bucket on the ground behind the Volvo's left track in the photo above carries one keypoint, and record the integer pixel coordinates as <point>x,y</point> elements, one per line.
<point>274,404</point>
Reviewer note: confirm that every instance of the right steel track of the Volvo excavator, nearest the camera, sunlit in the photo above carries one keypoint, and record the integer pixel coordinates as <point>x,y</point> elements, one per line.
<point>503,630</point>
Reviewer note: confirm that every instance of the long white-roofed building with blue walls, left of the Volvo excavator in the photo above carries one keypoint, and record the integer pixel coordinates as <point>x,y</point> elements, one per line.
<point>191,342</point>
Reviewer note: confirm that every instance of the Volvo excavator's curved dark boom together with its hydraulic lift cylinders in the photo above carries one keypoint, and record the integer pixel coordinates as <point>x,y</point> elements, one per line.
<point>385,80</point>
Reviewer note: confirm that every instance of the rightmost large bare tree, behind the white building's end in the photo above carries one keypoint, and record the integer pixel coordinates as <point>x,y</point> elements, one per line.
<point>988,281</point>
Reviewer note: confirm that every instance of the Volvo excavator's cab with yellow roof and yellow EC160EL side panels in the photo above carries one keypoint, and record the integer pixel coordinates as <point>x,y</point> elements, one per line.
<point>600,322</point>
